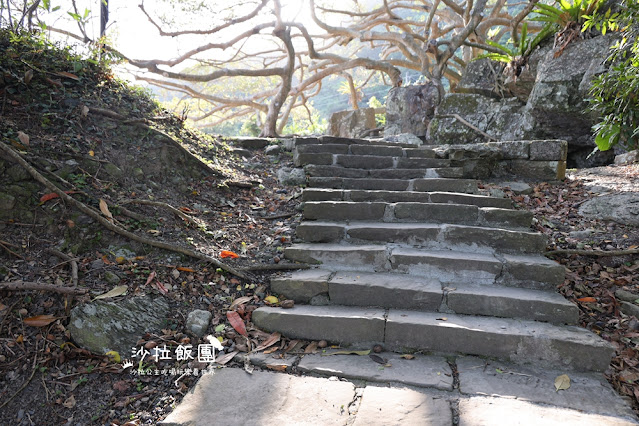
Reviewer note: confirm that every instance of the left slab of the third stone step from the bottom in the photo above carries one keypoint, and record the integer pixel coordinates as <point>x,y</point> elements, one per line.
<point>360,256</point>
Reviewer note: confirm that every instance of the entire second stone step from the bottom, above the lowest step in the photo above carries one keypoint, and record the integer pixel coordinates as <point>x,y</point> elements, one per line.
<point>402,291</point>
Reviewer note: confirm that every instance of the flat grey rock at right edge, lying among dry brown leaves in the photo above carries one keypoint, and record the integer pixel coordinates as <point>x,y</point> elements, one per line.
<point>622,208</point>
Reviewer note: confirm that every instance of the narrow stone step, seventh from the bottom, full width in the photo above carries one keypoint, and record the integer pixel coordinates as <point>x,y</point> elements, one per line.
<point>468,186</point>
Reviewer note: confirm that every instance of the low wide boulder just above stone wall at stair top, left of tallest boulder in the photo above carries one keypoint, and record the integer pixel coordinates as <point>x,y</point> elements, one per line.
<point>502,120</point>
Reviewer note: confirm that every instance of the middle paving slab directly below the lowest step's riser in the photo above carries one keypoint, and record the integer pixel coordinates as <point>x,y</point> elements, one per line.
<point>423,371</point>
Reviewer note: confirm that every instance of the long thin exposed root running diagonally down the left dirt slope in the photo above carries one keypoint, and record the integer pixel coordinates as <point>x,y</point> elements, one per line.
<point>111,226</point>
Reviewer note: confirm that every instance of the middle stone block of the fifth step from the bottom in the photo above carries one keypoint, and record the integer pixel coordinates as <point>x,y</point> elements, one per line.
<point>439,213</point>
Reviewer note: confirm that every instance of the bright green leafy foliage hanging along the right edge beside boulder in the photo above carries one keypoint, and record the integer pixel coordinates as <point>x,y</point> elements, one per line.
<point>615,94</point>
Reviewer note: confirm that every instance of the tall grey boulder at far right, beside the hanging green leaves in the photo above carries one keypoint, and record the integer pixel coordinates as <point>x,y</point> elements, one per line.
<point>558,103</point>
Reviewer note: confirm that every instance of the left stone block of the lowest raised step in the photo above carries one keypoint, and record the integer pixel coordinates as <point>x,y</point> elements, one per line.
<point>335,324</point>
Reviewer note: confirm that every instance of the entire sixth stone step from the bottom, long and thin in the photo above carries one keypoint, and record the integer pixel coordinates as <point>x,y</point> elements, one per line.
<point>323,194</point>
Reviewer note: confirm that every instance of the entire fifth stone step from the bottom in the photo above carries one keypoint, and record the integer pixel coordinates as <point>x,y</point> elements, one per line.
<point>417,212</point>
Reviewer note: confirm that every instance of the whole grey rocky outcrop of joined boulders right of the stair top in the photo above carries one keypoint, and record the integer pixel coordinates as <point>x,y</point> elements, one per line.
<point>548,102</point>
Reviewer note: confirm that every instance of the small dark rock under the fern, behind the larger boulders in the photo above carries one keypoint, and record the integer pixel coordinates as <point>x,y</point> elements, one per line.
<point>481,77</point>
